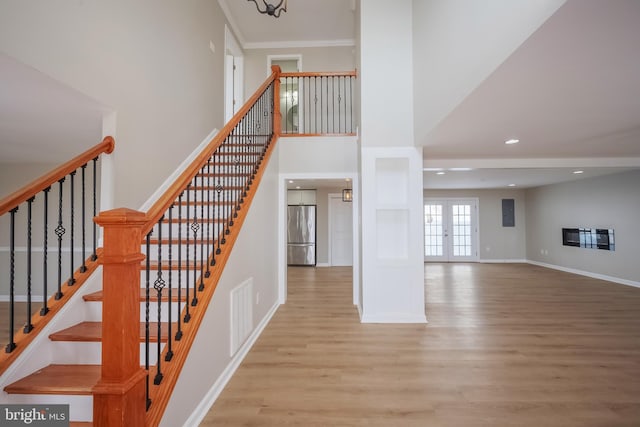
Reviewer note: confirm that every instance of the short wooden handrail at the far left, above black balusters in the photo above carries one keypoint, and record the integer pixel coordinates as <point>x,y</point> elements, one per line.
<point>25,193</point>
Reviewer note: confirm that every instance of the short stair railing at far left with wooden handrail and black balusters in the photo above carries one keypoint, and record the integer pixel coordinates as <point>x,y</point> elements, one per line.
<point>48,246</point>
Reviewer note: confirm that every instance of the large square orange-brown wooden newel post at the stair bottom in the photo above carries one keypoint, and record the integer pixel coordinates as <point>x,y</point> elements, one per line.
<point>119,397</point>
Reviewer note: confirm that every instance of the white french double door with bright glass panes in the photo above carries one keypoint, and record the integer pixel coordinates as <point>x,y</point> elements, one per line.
<point>450,230</point>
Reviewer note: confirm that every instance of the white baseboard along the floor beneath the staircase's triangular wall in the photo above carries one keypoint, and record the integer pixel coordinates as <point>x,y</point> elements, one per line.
<point>209,399</point>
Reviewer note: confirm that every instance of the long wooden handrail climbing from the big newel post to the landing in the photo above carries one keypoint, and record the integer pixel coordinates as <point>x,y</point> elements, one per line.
<point>169,197</point>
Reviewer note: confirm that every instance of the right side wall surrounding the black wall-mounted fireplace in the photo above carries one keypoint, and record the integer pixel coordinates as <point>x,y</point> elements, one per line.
<point>611,201</point>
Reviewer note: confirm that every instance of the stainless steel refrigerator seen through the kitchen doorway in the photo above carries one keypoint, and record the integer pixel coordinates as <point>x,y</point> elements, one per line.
<point>301,235</point>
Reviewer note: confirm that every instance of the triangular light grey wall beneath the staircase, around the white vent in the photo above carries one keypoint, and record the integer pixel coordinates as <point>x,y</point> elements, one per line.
<point>255,256</point>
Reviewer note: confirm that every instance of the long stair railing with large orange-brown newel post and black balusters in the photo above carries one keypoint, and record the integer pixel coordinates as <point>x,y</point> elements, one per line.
<point>186,237</point>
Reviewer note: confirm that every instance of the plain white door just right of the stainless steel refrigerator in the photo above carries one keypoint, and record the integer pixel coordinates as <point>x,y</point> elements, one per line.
<point>340,231</point>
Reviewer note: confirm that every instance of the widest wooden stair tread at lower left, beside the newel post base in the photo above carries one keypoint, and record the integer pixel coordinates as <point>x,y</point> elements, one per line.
<point>58,379</point>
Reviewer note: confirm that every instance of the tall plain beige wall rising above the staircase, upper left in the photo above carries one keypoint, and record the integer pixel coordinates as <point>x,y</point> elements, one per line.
<point>148,60</point>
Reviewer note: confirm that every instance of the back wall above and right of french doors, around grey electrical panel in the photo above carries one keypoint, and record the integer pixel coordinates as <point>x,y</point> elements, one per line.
<point>496,243</point>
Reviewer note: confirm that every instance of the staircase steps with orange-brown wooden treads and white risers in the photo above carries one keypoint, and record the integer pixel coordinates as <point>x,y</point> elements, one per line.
<point>78,348</point>
